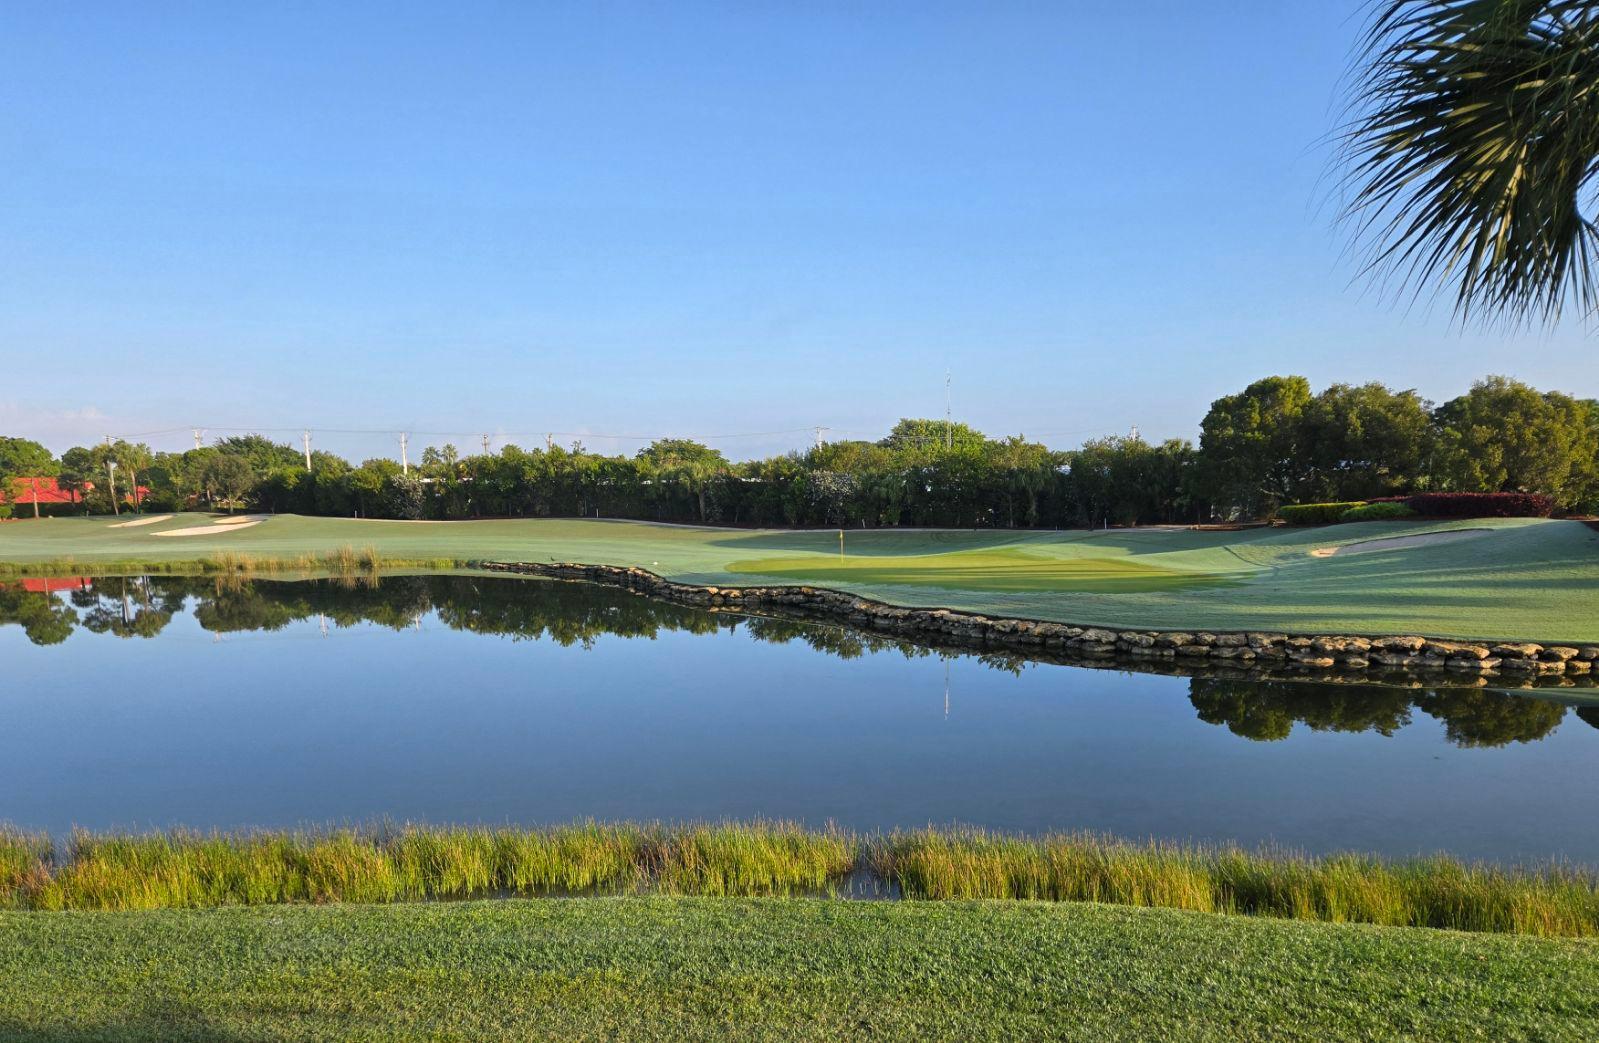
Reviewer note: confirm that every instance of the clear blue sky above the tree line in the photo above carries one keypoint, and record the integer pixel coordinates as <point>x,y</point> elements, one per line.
<point>704,220</point>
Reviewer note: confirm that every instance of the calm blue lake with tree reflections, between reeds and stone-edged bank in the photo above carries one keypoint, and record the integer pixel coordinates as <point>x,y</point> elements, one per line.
<point>156,703</point>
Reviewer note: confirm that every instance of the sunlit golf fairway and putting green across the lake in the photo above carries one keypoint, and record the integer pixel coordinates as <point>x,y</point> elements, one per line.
<point>1520,580</point>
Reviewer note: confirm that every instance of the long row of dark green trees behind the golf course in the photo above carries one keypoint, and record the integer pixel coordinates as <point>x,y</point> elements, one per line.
<point>1275,442</point>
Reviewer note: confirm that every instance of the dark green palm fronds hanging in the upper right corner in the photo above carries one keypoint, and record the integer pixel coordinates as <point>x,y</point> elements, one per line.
<point>1470,154</point>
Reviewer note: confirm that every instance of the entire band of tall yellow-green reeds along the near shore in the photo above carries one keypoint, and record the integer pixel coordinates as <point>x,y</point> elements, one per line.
<point>412,863</point>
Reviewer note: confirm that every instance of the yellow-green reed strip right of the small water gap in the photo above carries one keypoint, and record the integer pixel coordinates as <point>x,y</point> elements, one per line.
<point>1435,893</point>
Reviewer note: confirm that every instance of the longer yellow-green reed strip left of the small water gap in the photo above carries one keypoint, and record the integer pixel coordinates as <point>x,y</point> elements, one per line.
<point>415,863</point>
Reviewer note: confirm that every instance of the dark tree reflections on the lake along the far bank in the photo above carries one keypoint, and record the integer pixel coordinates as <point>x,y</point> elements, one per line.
<point>576,615</point>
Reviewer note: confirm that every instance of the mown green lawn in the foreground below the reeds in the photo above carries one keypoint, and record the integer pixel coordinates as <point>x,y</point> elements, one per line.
<point>775,970</point>
